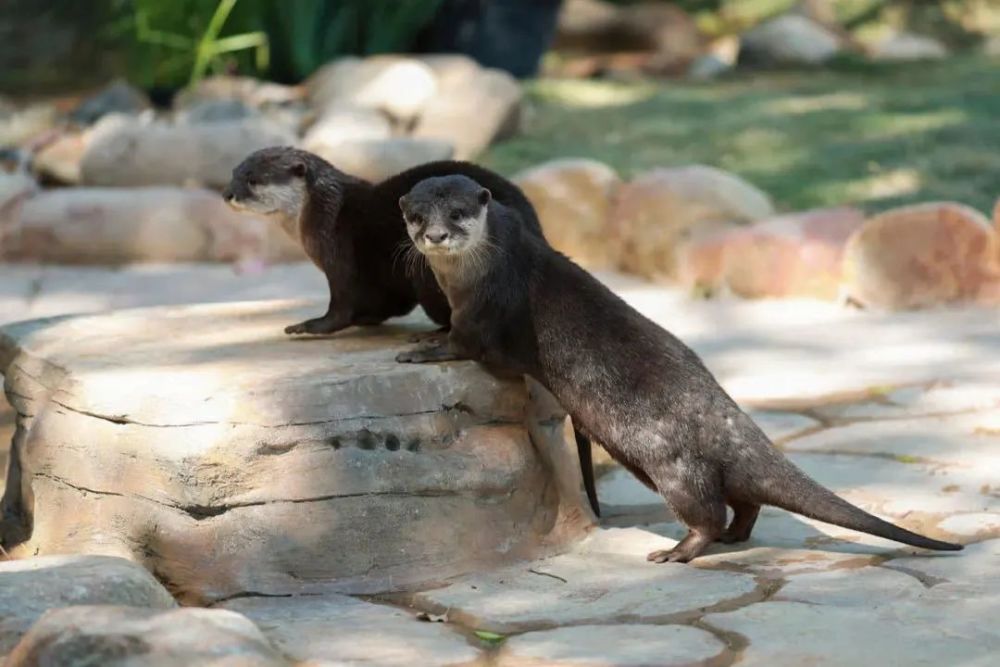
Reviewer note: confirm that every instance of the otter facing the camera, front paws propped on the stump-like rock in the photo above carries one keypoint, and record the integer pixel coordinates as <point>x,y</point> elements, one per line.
<point>625,381</point>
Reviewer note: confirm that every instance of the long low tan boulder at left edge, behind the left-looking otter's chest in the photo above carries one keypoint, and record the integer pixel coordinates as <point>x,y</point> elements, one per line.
<point>124,225</point>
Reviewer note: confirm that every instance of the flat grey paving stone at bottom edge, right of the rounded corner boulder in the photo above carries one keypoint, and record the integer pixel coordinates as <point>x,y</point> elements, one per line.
<point>337,629</point>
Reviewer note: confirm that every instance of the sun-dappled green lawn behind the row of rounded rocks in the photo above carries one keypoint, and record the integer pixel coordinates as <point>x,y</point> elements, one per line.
<point>874,136</point>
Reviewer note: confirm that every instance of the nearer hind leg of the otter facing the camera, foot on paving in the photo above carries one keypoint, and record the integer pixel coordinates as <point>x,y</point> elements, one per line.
<point>695,496</point>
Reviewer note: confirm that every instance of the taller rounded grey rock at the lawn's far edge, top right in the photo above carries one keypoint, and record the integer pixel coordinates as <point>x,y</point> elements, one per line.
<point>791,39</point>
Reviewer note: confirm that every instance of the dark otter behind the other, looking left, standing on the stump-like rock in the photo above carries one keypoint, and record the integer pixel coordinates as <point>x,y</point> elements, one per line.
<point>353,231</point>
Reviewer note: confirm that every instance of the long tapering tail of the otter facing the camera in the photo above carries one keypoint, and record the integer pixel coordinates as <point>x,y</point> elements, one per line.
<point>793,490</point>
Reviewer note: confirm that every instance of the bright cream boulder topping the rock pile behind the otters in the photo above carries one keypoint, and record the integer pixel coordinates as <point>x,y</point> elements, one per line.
<point>398,86</point>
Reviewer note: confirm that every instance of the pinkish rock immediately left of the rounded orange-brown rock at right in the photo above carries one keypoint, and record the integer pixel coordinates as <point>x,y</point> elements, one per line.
<point>796,255</point>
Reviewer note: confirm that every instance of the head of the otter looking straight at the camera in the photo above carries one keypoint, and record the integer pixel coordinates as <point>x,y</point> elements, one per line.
<point>446,216</point>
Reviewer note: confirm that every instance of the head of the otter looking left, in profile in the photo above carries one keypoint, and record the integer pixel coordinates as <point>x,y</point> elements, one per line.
<point>271,181</point>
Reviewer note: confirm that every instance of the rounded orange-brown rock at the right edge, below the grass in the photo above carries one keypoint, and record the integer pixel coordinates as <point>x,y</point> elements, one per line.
<point>923,255</point>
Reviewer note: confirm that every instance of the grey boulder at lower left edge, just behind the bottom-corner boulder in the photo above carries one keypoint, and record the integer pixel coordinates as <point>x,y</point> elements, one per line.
<point>30,587</point>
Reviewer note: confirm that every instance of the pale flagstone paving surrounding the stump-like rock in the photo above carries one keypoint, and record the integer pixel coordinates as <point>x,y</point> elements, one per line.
<point>899,413</point>
